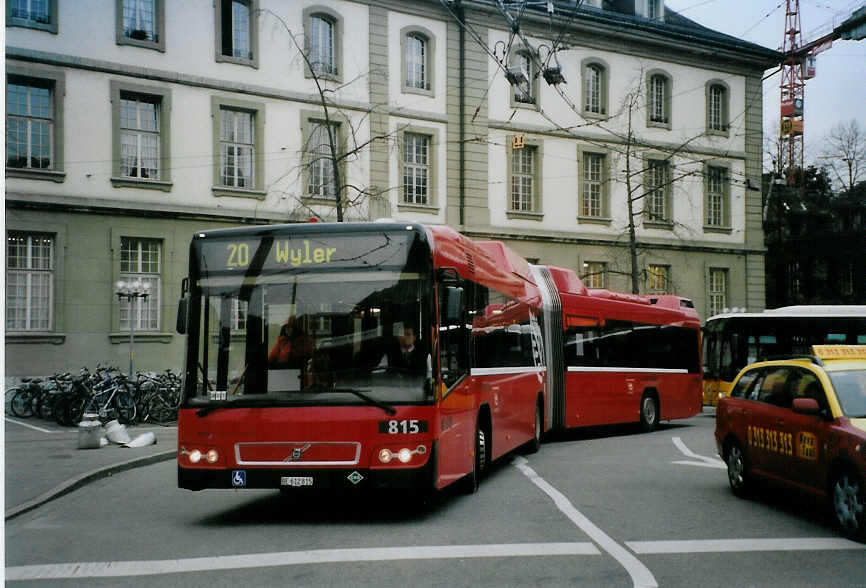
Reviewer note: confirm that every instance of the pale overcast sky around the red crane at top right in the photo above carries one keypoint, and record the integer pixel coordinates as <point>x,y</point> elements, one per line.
<point>836,94</point>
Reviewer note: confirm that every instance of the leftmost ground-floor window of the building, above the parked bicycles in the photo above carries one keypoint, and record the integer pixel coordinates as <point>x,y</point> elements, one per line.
<point>29,281</point>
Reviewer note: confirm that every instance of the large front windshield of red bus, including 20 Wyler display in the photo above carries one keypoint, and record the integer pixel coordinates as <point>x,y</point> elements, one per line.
<point>353,328</point>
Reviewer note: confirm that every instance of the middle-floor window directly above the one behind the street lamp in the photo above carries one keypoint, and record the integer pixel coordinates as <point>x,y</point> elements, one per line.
<point>139,136</point>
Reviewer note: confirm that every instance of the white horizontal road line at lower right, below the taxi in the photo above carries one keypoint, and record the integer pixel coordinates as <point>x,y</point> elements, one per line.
<point>743,545</point>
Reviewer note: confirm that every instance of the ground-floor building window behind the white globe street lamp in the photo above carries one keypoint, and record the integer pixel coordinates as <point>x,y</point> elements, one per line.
<point>140,261</point>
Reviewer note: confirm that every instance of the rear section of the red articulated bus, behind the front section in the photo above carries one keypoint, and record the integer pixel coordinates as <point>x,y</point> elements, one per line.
<point>623,358</point>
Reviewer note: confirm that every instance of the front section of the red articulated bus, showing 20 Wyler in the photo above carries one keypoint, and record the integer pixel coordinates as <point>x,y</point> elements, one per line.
<point>356,355</point>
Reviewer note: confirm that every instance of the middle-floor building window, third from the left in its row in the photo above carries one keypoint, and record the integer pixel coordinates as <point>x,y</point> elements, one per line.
<point>237,148</point>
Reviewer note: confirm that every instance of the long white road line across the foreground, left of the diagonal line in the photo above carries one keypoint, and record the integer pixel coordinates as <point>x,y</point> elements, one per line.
<point>110,569</point>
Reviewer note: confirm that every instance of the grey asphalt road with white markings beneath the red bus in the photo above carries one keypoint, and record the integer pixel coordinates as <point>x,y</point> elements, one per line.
<point>605,507</point>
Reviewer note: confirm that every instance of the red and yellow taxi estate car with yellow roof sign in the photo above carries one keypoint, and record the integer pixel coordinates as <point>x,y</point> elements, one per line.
<point>801,422</point>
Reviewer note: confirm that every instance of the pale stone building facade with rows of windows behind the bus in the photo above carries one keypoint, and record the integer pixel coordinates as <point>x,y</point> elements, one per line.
<point>133,124</point>
